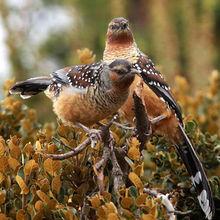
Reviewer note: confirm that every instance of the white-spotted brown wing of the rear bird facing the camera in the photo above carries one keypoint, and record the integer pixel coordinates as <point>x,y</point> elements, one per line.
<point>154,79</point>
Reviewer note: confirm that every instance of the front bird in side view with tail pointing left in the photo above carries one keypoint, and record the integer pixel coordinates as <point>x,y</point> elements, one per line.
<point>83,94</point>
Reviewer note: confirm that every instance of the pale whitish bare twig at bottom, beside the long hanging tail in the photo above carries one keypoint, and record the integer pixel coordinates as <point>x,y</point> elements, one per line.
<point>165,201</point>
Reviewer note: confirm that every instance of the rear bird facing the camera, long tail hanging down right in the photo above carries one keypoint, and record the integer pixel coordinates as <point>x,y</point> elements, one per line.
<point>158,100</point>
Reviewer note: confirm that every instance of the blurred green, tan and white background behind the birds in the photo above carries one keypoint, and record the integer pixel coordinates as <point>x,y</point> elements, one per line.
<point>37,37</point>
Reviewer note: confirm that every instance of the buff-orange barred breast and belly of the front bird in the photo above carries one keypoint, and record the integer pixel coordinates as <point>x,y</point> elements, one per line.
<point>88,107</point>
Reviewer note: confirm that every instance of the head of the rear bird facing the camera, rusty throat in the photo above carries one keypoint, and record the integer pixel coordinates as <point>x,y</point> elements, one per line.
<point>119,31</point>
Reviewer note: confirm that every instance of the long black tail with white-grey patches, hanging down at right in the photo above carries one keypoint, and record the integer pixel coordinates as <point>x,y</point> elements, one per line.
<point>197,173</point>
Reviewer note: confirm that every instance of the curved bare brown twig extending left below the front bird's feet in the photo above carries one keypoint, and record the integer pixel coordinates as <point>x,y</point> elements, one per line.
<point>71,153</point>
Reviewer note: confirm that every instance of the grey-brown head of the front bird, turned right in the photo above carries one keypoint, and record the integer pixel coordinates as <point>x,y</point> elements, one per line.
<point>121,73</point>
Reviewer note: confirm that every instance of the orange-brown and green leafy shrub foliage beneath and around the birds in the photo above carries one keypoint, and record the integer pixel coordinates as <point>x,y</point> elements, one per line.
<point>36,187</point>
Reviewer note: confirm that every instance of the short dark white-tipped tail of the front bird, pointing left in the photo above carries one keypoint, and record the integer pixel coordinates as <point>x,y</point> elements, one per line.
<point>30,87</point>
